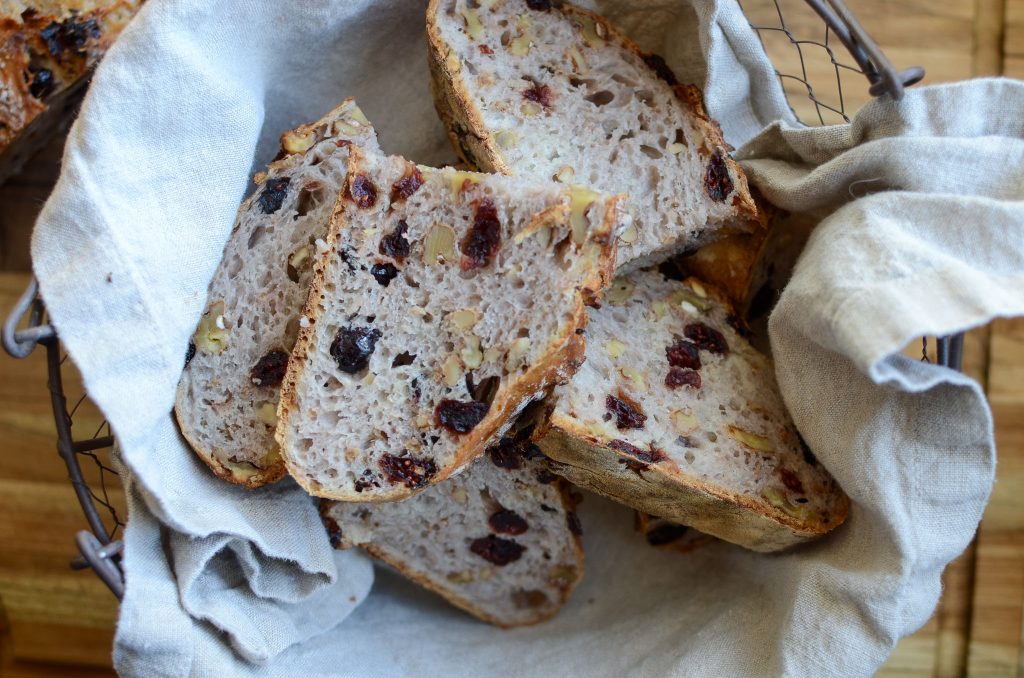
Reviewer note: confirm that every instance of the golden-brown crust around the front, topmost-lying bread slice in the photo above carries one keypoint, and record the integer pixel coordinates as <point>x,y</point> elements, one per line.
<point>562,359</point>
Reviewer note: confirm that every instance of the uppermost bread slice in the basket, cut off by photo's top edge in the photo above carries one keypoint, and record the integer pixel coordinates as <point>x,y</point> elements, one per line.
<point>550,91</point>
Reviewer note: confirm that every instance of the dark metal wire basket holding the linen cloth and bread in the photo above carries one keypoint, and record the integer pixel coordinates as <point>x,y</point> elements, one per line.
<point>818,91</point>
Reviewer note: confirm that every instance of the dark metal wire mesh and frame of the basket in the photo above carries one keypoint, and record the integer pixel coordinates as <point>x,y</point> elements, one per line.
<point>101,546</point>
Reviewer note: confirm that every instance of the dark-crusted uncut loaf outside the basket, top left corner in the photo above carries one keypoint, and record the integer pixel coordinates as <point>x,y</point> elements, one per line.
<point>48,49</point>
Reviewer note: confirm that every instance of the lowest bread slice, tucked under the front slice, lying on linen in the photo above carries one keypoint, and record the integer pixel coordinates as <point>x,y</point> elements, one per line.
<point>499,540</point>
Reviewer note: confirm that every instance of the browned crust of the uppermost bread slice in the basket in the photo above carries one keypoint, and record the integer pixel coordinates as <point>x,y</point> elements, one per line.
<point>477,146</point>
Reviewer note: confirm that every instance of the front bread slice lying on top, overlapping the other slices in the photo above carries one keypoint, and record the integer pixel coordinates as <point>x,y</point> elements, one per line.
<point>446,303</point>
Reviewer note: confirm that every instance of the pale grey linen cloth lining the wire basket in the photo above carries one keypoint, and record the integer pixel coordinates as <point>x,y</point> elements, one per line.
<point>922,232</point>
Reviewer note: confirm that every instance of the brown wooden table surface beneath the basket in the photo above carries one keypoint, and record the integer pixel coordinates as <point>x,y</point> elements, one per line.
<point>53,615</point>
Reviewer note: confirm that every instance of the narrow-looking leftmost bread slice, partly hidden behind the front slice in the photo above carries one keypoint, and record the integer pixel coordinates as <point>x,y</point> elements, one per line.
<point>228,398</point>
